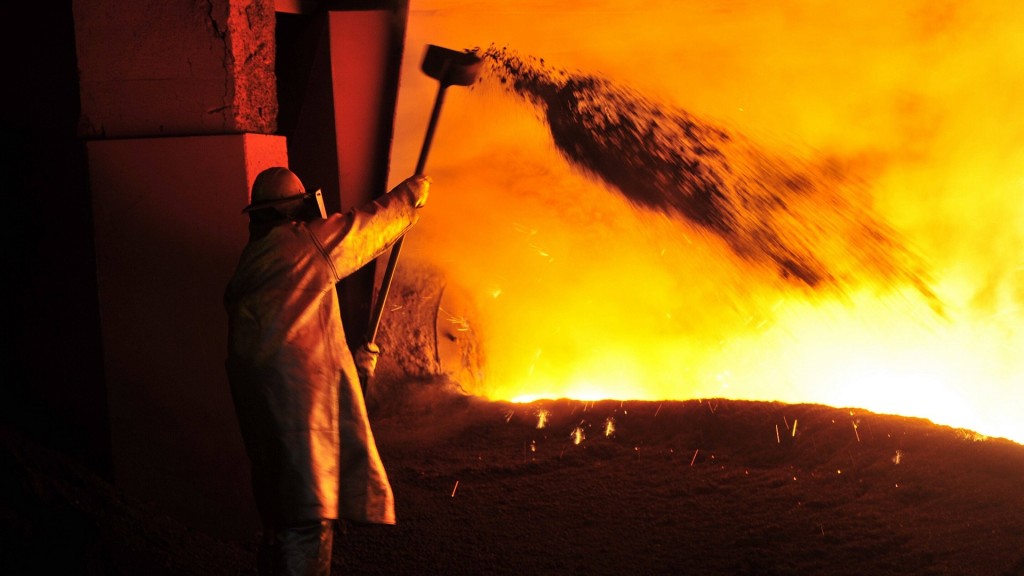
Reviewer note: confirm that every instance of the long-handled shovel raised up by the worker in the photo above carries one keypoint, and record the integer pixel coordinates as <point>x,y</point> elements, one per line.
<point>450,68</point>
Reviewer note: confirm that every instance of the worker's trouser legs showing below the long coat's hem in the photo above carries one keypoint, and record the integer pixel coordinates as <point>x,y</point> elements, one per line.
<point>297,551</point>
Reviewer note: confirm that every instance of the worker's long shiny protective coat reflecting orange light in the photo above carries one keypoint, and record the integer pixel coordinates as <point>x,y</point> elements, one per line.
<point>293,380</point>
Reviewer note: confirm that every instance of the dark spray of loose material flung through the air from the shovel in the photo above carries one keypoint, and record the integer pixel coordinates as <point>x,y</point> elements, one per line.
<point>813,223</point>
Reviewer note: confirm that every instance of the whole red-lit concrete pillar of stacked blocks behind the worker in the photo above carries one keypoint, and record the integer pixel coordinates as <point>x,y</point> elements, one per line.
<point>179,103</point>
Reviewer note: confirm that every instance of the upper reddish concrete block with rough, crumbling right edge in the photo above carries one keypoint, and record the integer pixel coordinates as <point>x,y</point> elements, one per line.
<point>177,67</point>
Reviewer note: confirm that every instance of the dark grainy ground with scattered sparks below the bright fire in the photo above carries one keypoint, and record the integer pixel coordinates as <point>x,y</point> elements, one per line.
<point>698,487</point>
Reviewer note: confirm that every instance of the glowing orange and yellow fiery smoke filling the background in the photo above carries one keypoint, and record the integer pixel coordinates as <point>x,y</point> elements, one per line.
<point>584,296</point>
